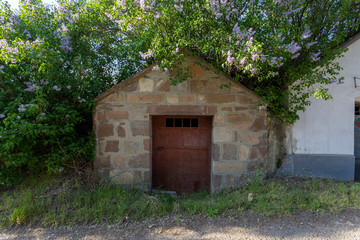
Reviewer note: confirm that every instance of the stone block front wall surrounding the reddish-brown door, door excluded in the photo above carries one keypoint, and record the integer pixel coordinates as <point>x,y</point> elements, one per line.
<point>122,123</point>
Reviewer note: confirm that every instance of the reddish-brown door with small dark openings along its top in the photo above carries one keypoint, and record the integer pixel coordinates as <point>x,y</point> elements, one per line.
<point>181,153</point>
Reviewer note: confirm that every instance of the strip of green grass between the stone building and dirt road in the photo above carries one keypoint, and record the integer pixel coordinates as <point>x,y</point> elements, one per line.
<point>61,200</point>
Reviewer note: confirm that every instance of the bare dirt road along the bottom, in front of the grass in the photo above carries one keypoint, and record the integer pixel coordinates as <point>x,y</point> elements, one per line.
<point>305,225</point>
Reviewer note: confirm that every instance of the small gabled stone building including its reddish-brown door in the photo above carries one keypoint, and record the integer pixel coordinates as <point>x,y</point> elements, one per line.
<point>195,135</point>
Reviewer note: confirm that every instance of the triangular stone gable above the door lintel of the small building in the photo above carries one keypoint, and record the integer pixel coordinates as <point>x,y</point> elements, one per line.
<point>204,78</point>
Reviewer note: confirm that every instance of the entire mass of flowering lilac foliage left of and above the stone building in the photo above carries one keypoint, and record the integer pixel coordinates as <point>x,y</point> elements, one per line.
<point>55,59</point>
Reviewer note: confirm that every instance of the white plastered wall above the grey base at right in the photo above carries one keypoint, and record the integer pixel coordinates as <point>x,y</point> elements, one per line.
<point>327,127</point>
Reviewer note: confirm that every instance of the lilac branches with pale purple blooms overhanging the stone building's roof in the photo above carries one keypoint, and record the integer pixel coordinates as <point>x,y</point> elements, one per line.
<point>266,45</point>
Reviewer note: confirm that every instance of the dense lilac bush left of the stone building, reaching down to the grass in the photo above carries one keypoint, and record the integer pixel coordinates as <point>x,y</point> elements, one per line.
<point>53,62</point>
